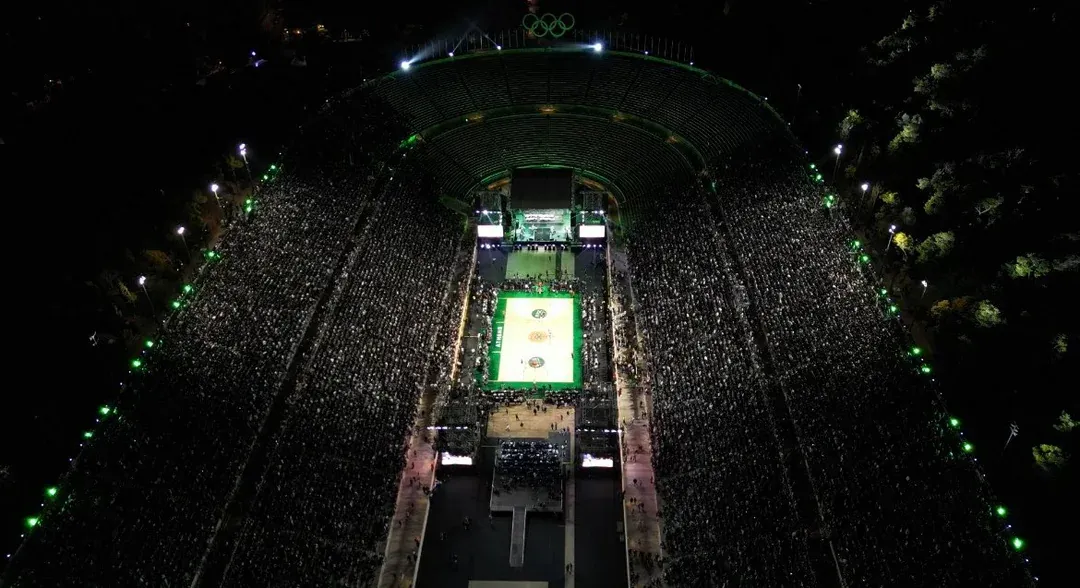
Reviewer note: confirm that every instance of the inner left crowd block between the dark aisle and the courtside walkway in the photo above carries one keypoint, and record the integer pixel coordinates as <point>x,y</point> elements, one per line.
<point>334,474</point>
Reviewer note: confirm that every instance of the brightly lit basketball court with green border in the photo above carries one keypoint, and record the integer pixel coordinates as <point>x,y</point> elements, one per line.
<point>536,341</point>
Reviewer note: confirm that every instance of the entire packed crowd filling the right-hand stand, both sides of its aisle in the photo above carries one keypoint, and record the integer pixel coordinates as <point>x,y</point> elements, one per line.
<point>766,344</point>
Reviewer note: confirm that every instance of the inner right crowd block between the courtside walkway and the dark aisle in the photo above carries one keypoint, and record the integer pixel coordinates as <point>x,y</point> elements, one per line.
<point>728,513</point>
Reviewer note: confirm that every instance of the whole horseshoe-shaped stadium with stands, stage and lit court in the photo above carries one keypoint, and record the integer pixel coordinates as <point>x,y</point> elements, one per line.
<point>528,314</point>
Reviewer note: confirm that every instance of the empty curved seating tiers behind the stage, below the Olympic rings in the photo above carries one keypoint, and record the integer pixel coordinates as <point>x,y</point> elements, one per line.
<point>627,119</point>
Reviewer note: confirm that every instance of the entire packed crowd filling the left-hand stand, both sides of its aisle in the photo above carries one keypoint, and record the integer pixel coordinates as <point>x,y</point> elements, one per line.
<point>142,502</point>
